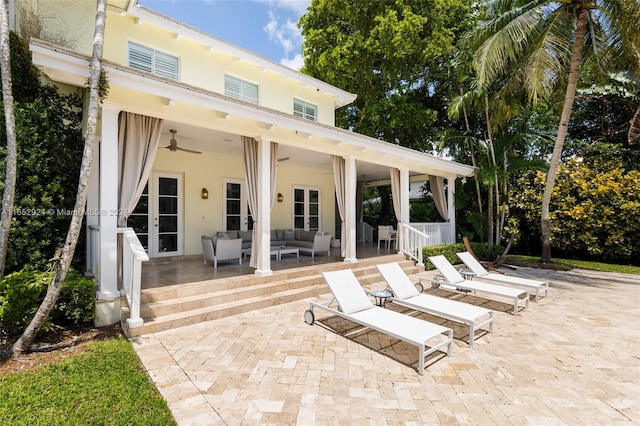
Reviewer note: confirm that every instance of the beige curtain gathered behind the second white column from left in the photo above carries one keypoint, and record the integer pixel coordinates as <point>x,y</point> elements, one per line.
<point>250,150</point>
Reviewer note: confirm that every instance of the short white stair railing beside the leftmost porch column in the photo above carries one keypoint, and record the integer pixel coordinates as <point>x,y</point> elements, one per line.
<point>133,255</point>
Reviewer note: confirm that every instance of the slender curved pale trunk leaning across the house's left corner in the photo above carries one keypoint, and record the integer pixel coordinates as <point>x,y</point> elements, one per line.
<point>65,255</point>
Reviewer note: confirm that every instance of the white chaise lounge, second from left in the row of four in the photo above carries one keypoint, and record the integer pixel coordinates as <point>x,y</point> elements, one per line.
<point>406,294</point>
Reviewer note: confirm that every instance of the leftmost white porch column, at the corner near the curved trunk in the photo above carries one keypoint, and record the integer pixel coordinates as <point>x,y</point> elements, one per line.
<point>107,274</point>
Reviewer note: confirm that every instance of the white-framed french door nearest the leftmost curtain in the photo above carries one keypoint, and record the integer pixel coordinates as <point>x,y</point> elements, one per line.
<point>158,216</point>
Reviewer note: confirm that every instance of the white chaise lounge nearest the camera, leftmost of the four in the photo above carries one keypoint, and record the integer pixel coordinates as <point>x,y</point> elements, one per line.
<point>354,305</point>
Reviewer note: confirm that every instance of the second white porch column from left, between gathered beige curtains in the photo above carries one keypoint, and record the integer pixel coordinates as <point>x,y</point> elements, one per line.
<point>263,225</point>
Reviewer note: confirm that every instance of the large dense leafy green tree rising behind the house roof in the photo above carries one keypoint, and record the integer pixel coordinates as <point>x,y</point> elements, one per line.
<point>387,53</point>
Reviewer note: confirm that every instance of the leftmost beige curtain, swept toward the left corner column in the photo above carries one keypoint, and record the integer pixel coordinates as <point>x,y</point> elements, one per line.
<point>138,139</point>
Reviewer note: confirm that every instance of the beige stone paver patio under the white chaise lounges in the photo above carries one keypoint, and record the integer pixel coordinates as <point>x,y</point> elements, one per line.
<point>574,358</point>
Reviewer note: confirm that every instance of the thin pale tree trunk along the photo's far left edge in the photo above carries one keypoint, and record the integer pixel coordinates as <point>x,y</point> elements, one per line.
<point>8,195</point>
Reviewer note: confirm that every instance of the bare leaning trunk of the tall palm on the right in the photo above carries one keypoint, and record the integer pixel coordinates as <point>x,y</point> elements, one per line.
<point>572,84</point>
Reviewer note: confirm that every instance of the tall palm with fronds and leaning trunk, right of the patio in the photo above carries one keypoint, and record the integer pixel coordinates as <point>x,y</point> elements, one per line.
<point>541,45</point>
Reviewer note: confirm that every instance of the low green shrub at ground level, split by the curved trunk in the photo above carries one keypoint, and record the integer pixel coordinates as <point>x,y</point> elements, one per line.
<point>22,292</point>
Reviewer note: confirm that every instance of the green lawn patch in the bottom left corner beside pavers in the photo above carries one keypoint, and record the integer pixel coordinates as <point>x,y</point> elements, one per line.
<point>106,385</point>
